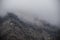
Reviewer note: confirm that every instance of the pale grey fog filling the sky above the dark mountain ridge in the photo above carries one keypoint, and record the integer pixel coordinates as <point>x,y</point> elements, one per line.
<point>30,9</point>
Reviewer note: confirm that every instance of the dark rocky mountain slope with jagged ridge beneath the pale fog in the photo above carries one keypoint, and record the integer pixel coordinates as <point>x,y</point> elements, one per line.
<point>13,28</point>
